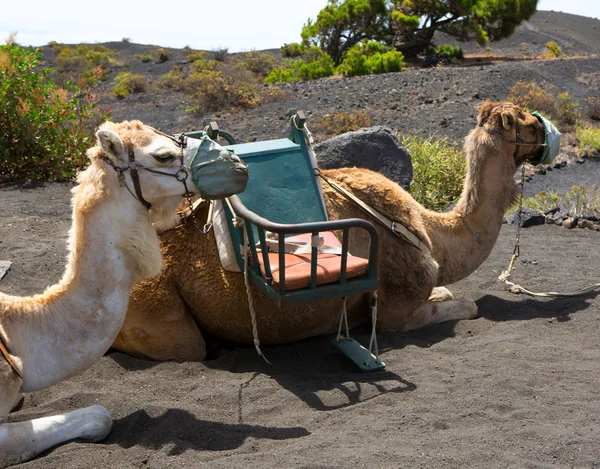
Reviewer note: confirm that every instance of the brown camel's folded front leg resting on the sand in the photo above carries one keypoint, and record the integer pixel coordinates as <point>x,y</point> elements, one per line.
<point>436,312</point>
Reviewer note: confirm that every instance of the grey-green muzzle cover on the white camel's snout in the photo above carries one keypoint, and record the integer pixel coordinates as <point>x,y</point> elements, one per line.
<point>216,171</point>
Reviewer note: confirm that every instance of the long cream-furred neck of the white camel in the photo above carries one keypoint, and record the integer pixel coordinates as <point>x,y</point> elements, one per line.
<point>63,331</point>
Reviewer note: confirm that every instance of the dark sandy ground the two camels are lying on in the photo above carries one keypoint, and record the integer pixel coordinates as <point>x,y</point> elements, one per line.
<point>516,387</point>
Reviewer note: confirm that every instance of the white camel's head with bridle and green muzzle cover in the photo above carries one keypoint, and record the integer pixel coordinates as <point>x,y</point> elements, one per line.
<point>161,166</point>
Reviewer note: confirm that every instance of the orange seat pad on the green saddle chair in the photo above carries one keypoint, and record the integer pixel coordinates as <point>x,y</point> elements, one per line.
<point>297,266</point>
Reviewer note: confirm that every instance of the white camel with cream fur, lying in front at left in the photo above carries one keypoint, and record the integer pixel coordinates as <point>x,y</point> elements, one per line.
<point>53,336</point>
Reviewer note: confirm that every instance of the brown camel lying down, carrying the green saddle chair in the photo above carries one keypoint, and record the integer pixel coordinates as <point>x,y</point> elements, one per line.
<point>166,316</point>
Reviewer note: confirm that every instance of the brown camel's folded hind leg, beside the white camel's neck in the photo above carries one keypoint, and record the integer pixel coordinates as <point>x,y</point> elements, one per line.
<point>158,327</point>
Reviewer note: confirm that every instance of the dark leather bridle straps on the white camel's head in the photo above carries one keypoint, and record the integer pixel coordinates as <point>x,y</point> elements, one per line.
<point>133,166</point>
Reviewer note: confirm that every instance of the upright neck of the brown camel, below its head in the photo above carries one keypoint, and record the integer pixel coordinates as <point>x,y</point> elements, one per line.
<point>463,238</point>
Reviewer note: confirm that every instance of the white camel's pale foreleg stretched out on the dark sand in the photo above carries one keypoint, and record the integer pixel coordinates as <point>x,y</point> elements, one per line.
<point>22,441</point>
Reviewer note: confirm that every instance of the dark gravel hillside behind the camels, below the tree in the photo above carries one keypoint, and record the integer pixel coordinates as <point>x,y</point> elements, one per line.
<point>423,101</point>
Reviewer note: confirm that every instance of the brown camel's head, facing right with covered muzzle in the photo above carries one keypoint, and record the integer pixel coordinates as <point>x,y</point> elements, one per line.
<point>521,134</point>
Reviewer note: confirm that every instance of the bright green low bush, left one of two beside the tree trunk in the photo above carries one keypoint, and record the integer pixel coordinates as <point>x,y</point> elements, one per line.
<point>315,64</point>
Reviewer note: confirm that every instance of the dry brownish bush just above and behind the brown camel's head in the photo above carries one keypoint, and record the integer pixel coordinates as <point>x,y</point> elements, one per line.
<point>533,97</point>
